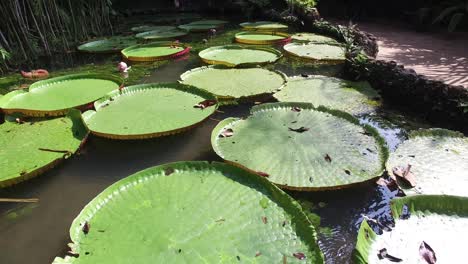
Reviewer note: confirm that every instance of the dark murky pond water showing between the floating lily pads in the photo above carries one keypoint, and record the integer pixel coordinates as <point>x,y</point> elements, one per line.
<point>36,233</point>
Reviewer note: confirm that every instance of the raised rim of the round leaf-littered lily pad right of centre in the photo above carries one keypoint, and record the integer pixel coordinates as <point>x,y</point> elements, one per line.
<point>383,149</point>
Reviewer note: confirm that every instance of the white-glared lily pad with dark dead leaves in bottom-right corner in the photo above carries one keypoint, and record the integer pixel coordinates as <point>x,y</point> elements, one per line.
<point>421,222</point>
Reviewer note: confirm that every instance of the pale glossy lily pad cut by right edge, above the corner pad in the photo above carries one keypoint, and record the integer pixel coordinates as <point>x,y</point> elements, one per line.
<point>438,159</point>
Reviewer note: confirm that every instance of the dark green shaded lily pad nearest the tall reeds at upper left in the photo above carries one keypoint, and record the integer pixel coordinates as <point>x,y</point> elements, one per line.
<point>108,45</point>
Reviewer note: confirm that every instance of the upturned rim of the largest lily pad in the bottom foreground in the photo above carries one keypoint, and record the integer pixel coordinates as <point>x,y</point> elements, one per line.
<point>302,224</point>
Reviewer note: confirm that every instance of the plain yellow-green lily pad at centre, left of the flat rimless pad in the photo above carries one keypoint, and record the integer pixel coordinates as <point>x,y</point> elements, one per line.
<point>234,83</point>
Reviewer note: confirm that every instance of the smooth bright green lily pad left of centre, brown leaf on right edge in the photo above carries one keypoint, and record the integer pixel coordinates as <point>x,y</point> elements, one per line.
<point>149,110</point>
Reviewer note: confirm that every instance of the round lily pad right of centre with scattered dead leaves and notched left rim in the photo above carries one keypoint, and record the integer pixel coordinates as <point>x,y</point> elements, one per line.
<point>297,146</point>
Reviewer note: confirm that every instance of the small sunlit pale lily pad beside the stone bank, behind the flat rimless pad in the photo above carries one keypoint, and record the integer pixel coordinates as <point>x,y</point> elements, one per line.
<point>315,51</point>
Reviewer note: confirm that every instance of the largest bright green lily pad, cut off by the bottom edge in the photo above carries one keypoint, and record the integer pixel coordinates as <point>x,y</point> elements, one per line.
<point>193,212</point>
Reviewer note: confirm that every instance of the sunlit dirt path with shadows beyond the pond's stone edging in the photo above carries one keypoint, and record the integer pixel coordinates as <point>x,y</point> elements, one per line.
<point>439,56</point>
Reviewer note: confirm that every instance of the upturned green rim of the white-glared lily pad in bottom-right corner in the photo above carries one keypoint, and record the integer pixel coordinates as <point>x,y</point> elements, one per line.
<point>418,204</point>
